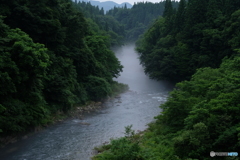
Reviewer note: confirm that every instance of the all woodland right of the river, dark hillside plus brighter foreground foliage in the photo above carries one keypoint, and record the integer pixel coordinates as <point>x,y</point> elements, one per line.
<point>197,44</point>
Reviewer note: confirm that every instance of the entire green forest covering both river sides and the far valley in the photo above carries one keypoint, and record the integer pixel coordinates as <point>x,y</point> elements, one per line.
<point>55,54</point>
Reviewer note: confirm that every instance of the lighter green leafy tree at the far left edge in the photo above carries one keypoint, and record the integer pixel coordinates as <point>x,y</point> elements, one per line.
<point>22,101</point>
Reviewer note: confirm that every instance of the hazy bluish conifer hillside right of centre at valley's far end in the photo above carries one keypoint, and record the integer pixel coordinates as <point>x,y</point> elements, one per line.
<point>137,19</point>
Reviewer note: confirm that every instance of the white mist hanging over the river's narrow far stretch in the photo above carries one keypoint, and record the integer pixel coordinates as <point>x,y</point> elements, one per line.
<point>133,72</point>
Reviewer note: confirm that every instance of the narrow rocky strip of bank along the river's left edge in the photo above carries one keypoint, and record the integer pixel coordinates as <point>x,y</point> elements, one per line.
<point>77,111</point>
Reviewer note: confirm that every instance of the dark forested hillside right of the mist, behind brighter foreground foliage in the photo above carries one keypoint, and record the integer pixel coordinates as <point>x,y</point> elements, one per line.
<point>197,35</point>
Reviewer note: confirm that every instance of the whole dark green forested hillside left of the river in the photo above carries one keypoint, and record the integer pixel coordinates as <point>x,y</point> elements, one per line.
<point>52,58</point>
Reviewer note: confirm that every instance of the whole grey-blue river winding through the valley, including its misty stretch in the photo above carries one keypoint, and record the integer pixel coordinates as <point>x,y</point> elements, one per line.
<point>71,140</point>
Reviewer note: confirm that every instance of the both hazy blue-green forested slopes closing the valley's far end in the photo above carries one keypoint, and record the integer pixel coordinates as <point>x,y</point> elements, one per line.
<point>122,23</point>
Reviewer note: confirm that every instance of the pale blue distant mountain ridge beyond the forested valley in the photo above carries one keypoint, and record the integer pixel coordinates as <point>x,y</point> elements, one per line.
<point>107,5</point>
